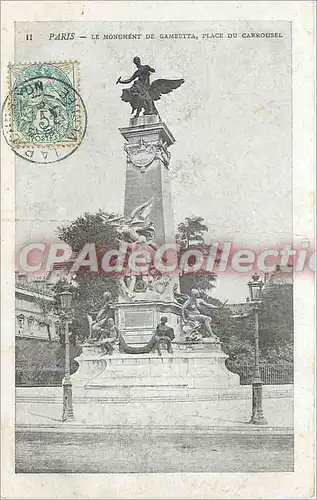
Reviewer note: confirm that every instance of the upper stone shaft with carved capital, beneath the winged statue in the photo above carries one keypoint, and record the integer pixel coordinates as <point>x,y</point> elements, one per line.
<point>147,173</point>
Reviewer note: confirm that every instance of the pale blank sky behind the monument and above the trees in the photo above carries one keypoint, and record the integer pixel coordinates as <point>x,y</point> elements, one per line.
<point>231,162</point>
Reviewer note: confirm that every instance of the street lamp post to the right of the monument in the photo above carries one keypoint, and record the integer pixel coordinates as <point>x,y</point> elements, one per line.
<point>257,417</point>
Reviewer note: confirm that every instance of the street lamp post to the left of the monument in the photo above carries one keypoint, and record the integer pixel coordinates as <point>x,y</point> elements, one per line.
<point>68,414</point>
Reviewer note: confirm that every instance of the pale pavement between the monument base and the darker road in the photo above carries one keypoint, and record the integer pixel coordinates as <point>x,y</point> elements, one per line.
<point>43,407</point>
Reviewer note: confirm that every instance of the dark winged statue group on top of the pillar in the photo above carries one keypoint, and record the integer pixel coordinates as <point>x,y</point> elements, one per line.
<point>142,94</point>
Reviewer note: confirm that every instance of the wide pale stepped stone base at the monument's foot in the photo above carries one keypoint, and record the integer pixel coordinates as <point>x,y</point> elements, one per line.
<point>193,371</point>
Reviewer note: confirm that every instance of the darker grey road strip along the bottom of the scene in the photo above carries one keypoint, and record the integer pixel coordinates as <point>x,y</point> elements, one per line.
<point>113,452</point>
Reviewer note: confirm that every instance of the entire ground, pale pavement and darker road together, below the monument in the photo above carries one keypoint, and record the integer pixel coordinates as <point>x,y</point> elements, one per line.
<point>155,436</point>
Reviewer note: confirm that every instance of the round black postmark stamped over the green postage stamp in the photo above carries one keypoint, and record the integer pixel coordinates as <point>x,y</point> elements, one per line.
<point>44,119</point>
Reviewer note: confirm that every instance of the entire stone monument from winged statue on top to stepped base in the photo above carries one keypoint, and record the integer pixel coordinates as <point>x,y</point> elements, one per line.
<point>152,342</point>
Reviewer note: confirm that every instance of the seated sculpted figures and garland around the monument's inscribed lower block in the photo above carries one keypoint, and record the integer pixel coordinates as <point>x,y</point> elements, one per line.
<point>105,333</point>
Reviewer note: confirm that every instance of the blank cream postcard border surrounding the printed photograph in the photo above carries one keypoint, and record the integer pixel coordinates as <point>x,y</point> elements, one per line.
<point>298,484</point>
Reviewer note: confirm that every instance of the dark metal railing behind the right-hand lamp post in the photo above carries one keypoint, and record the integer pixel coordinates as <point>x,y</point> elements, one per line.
<point>271,374</point>
